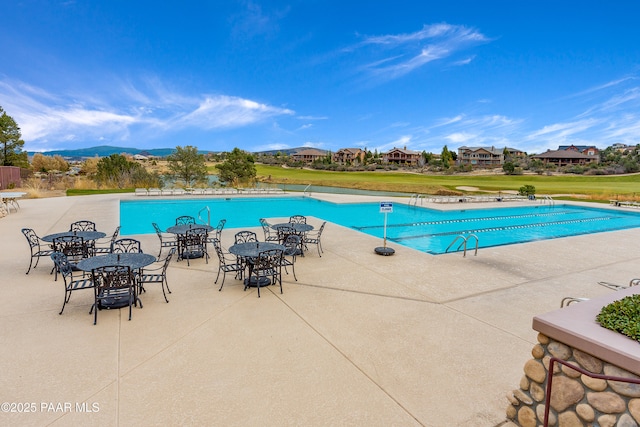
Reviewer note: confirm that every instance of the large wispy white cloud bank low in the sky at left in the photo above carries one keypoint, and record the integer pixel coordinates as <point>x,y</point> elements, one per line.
<point>46,118</point>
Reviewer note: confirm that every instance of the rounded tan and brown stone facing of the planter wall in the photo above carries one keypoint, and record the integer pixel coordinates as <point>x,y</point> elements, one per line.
<point>576,399</point>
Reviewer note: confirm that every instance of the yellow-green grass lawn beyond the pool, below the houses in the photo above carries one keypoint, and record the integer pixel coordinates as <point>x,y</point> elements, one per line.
<point>594,187</point>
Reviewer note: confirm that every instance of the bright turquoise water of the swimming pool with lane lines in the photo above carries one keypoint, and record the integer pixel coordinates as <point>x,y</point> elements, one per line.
<point>427,230</point>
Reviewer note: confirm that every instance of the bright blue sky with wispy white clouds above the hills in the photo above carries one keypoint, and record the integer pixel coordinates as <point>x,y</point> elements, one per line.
<point>263,75</point>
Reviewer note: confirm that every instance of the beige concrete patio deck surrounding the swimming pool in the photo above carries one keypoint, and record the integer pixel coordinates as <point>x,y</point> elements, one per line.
<point>359,339</point>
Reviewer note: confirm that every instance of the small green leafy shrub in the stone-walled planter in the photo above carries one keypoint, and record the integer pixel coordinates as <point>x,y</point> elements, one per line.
<point>622,316</point>
